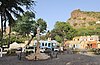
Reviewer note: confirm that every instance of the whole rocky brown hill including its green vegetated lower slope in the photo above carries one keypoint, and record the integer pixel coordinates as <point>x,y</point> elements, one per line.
<point>85,22</point>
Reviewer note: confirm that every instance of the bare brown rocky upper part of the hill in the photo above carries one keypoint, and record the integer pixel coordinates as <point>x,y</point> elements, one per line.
<point>84,18</point>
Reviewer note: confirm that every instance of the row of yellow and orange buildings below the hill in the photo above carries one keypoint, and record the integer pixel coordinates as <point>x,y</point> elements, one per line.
<point>83,42</point>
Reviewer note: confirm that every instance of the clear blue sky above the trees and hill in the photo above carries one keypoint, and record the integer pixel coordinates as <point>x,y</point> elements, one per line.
<point>60,10</point>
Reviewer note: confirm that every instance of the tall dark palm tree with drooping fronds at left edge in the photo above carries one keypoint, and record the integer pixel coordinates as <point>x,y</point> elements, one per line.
<point>9,7</point>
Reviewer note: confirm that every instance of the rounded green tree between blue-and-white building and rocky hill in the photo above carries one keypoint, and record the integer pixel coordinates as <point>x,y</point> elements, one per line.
<point>63,30</point>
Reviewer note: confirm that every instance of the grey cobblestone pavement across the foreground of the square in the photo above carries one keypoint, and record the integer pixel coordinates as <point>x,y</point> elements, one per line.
<point>63,59</point>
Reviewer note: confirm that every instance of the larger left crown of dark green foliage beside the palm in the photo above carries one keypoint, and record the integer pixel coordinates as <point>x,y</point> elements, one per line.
<point>24,24</point>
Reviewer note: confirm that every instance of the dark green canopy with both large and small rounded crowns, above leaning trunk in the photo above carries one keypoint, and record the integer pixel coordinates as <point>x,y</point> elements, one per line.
<point>26,24</point>
